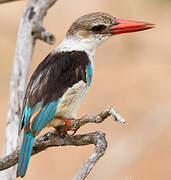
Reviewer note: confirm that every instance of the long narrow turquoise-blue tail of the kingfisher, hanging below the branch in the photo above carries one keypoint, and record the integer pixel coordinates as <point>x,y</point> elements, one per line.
<point>25,153</point>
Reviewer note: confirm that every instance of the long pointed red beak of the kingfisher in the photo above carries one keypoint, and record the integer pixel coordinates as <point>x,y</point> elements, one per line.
<point>127,26</point>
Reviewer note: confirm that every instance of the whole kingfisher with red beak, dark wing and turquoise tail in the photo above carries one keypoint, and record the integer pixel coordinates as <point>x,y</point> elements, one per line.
<point>61,81</point>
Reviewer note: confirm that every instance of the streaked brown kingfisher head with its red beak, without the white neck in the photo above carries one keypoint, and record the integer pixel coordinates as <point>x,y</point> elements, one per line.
<point>101,26</point>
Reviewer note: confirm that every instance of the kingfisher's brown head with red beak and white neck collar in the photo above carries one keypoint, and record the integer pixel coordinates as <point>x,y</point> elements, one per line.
<point>90,30</point>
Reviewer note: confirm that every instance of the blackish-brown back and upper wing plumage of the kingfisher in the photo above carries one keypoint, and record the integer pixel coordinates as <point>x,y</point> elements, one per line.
<point>53,76</point>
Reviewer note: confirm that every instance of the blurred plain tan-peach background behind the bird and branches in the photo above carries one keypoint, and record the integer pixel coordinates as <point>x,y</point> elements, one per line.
<point>132,73</point>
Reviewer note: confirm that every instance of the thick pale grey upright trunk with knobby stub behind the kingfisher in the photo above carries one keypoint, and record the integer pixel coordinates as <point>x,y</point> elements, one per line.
<point>30,29</point>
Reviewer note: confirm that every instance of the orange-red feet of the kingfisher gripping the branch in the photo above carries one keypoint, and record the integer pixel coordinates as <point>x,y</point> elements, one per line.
<point>67,121</point>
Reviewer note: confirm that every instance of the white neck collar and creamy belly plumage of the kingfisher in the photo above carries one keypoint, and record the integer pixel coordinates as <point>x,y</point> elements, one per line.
<point>73,97</point>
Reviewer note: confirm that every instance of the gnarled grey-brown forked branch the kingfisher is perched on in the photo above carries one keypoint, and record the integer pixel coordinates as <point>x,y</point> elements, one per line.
<point>51,139</point>
